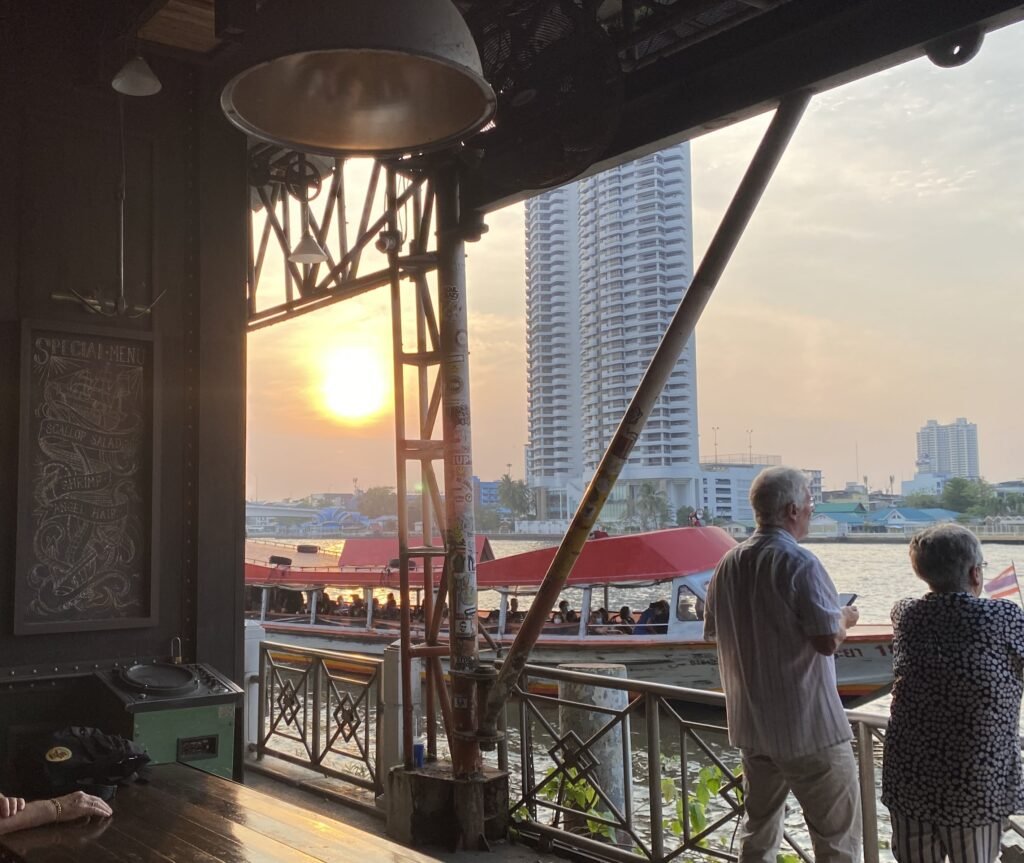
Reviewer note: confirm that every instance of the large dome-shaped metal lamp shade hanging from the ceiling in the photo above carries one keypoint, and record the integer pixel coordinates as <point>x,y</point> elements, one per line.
<point>361,77</point>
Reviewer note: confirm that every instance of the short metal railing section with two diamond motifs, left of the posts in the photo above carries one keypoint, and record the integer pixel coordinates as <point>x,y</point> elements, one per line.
<point>320,709</point>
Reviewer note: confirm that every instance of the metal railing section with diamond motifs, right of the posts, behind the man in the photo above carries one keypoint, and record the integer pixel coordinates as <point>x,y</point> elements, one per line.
<point>684,792</point>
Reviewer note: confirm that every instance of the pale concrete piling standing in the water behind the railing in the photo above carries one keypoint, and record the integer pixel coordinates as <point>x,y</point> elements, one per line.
<point>614,773</point>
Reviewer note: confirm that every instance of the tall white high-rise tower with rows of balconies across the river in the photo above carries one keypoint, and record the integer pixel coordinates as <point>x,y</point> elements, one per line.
<point>609,260</point>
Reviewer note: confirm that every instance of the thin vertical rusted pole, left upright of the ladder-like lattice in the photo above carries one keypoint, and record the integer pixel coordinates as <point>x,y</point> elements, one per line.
<point>408,718</point>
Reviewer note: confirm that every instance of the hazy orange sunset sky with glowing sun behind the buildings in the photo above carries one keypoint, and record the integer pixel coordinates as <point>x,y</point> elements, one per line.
<point>879,286</point>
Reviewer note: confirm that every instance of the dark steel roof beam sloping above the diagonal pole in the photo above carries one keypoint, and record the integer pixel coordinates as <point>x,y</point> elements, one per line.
<point>747,70</point>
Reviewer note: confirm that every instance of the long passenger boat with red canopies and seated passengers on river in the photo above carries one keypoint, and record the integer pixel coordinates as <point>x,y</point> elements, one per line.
<point>670,570</point>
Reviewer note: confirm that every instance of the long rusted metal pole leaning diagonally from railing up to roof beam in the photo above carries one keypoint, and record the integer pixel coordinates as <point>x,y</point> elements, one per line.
<point>680,330</point>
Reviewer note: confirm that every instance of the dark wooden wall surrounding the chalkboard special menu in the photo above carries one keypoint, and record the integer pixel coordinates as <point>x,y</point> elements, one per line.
<point>186,236</point>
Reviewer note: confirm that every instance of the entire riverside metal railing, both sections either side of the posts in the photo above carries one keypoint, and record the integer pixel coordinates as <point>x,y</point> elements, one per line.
<point>684,792</point>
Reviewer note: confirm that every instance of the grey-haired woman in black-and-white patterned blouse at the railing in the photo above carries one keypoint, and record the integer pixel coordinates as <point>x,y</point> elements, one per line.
<point>953,765</point>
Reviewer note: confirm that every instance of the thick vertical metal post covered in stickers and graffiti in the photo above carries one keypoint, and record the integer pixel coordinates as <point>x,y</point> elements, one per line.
<point>460,529</point>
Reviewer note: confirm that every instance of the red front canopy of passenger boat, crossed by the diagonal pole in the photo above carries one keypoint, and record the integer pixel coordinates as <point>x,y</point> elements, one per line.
<point>657,556</point>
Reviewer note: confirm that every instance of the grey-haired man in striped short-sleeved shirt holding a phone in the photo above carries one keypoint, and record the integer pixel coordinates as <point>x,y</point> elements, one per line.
<point>776,616</point>
